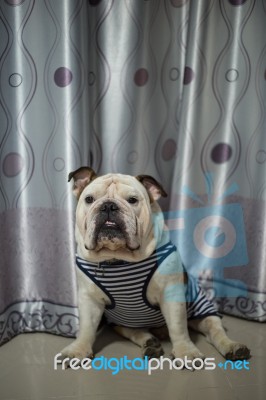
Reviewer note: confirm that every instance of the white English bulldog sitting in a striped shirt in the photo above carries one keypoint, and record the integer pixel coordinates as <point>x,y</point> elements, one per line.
<point>128,270</point>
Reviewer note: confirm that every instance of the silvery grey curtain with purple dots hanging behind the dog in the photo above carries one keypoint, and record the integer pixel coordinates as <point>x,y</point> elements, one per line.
<point>175,89</point>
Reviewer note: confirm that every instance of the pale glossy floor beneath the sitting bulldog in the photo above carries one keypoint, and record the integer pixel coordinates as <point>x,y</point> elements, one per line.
<point>27,370</point>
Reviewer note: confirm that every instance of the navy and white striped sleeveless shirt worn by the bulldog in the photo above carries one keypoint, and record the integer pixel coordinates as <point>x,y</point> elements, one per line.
<point>125,284</point>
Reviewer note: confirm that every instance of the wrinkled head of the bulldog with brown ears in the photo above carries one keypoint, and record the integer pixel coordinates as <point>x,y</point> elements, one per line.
<point>117,215</point>
